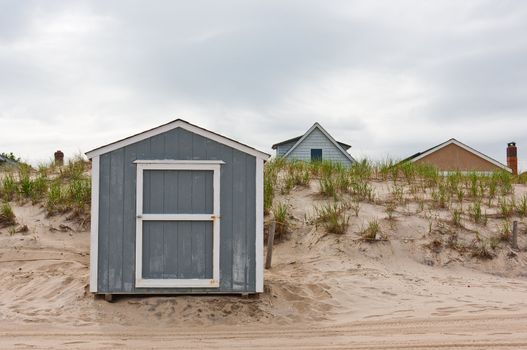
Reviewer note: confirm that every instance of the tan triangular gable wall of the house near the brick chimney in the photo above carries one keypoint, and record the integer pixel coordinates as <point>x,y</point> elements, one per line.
<point>452,158</point>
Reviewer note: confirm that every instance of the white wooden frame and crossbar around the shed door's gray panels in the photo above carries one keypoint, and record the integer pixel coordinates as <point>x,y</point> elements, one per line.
<point>168,164</point>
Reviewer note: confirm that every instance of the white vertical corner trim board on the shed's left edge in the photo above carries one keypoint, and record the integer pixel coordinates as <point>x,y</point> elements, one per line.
<point>94,228</point>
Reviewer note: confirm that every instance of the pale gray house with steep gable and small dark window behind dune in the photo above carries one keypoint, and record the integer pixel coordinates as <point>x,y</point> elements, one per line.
<point>315,144</point>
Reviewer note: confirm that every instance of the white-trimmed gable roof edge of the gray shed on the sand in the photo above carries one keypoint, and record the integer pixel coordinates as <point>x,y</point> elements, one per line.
<point>178,123</point>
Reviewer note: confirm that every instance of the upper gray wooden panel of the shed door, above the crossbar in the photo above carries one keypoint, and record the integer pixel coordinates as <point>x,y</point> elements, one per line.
<point>177,192</point>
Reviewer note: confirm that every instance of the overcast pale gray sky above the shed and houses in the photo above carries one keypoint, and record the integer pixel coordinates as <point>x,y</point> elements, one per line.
<point>388,77</point>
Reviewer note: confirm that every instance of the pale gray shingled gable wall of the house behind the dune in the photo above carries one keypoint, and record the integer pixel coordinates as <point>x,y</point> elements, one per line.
<point>318,140</point>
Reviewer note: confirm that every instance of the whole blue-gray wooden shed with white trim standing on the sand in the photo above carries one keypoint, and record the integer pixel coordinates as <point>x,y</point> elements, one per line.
<point>176,209</point>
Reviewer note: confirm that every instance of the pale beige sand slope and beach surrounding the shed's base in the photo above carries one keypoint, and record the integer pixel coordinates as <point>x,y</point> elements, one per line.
<point>324,291</point>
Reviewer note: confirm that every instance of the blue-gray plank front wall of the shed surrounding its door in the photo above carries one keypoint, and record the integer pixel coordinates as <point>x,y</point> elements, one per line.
<point>117,200</point>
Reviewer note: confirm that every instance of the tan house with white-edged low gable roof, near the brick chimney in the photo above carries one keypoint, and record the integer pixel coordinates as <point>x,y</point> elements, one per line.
<point>453,155</point>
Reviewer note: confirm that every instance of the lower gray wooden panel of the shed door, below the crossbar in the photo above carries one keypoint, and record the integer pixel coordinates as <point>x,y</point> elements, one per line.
<point>177,249</point>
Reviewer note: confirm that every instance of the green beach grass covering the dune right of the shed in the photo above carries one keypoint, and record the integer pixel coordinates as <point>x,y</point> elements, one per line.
<point>467,196</point>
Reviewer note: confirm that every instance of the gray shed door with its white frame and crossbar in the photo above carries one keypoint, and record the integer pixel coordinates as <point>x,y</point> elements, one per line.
<point>178,213</point>
